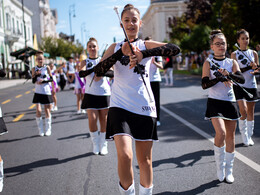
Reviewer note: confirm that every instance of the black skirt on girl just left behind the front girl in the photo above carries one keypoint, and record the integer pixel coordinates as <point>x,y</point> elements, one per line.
<point>97,102</point>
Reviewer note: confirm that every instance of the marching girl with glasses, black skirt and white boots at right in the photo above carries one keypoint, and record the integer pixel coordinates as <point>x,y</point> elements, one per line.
<point>222,108</point>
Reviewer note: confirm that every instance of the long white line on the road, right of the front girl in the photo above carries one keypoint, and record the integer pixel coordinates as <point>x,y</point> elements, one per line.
<point>239,156</point>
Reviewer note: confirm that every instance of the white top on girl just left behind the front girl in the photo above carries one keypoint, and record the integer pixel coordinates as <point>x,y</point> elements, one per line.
<point>100,87</point>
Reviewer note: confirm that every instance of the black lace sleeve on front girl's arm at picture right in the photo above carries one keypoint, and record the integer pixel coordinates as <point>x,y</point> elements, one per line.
<point>166,50</point>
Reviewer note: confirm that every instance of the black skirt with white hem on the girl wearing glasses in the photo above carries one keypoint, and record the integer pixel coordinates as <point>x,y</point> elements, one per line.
<point>222,109</point>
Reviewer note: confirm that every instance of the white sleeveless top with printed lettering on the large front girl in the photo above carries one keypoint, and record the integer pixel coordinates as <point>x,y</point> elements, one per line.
<point>128,91</point>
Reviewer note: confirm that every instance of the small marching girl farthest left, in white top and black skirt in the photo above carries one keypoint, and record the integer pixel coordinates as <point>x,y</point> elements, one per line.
<point>42,77</point>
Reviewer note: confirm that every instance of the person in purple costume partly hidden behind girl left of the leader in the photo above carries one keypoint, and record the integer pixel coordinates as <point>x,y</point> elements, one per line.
<point>79,89</point>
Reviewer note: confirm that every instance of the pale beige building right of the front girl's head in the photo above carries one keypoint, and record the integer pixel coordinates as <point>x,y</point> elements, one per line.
<point>159,18</point>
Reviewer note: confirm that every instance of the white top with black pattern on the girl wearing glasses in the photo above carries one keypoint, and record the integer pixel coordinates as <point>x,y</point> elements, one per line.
<point>220,91</point>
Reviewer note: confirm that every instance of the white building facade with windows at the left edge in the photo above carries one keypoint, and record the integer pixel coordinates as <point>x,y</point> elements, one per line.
<point>15,31</point>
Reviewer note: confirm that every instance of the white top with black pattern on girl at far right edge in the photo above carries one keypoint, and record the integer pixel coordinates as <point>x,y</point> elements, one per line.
<point>243,62</point>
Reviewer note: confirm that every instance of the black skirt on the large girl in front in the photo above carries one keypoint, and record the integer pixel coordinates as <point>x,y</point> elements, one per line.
<point>123,122</point>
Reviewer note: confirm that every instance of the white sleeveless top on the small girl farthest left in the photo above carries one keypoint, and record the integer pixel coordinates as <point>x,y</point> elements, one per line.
<point>44,88</point>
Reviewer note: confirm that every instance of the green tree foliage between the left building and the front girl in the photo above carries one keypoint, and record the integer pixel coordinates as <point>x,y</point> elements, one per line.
<point>60,47</point>
